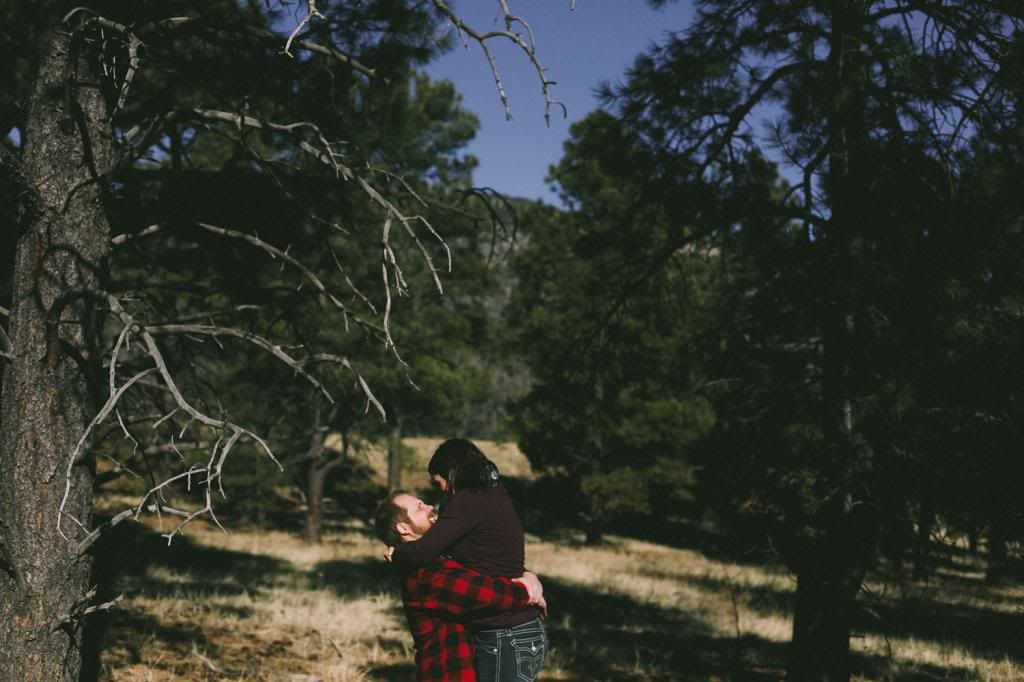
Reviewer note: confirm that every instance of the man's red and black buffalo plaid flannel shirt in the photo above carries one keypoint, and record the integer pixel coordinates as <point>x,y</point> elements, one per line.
<point>436,596</point>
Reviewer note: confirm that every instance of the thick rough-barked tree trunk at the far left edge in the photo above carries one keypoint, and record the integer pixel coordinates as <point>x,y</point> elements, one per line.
<point>61,252</point>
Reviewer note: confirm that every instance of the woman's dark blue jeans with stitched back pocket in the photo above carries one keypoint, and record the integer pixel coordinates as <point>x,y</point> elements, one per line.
<point>511,655</point>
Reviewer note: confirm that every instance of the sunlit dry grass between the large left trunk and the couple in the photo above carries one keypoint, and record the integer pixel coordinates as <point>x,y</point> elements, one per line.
<point>194,625</point>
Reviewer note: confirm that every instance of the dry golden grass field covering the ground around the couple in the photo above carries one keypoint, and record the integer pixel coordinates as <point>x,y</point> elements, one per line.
<point>261,605</point>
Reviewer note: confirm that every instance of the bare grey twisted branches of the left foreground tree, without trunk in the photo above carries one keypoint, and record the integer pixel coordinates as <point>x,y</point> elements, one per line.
<point>121,50</point>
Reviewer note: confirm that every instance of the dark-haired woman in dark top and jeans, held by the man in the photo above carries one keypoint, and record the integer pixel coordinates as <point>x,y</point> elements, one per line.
<point>480,529</point>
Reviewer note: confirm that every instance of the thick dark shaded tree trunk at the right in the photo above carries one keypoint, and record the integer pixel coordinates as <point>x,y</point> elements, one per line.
<point>844,534</point>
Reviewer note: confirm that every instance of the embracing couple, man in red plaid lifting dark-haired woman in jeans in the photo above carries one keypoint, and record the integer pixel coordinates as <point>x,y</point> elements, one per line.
<point>475,613</point>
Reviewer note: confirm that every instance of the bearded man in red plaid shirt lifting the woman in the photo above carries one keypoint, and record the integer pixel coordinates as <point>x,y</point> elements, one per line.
<point>438,595</point>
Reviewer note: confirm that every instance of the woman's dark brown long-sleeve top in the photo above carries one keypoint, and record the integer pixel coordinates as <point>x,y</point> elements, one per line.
<point>481,531</point>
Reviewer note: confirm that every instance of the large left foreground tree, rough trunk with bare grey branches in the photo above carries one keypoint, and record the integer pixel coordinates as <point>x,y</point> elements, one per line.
<point>79,358</point>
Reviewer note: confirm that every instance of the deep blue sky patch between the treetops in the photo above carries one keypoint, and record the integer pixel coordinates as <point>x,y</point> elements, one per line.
<point>595,42</point>
